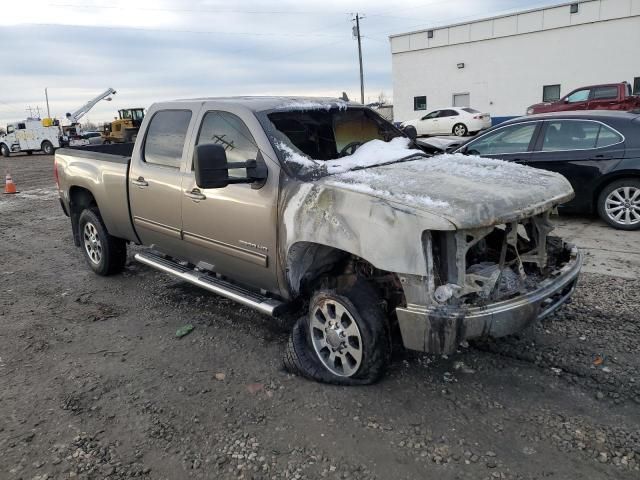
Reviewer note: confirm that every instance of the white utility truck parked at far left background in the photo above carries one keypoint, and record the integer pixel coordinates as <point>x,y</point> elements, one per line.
<point>30,136</point>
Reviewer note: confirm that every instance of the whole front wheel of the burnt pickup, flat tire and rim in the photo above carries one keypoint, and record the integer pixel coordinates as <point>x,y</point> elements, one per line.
<point>343,340</point>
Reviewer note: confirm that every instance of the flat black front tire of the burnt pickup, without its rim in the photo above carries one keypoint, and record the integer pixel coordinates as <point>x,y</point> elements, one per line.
<point>364,307</point>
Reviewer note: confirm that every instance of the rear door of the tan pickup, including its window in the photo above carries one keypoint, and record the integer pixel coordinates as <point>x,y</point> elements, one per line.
<point>155,180</point>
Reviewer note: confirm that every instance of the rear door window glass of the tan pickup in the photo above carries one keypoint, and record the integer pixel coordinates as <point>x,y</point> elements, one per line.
<point>165,138</point>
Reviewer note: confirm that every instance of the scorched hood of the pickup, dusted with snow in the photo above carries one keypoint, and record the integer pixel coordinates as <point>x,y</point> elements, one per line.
<point>469,191</point>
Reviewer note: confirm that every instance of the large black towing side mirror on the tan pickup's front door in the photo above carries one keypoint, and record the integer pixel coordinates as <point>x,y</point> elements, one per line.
<point>212,168</point>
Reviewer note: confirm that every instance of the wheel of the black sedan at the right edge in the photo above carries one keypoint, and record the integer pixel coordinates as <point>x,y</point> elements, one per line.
<point>624,204</point>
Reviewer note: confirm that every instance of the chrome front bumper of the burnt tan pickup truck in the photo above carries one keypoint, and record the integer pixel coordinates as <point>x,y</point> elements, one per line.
<point>440,329</point>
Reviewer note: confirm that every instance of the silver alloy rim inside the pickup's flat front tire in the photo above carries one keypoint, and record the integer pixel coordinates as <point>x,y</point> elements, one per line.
<point>336,337</point>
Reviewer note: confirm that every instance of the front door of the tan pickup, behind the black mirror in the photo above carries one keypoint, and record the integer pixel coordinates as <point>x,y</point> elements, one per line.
<point>233,229</point>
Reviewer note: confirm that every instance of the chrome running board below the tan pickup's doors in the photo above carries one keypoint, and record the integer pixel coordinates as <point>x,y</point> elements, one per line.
<point>228,290</point>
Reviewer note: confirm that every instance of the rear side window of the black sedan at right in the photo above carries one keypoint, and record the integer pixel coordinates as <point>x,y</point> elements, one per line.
<point>565,135</point>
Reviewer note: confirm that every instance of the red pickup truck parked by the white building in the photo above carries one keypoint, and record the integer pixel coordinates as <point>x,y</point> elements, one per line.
<point>610,96</point>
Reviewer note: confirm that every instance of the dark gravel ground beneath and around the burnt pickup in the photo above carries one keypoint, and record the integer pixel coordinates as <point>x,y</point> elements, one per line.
<point>94,383</point>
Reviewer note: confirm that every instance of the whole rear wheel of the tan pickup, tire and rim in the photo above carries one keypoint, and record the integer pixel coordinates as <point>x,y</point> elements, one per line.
<point>113,251</point>
